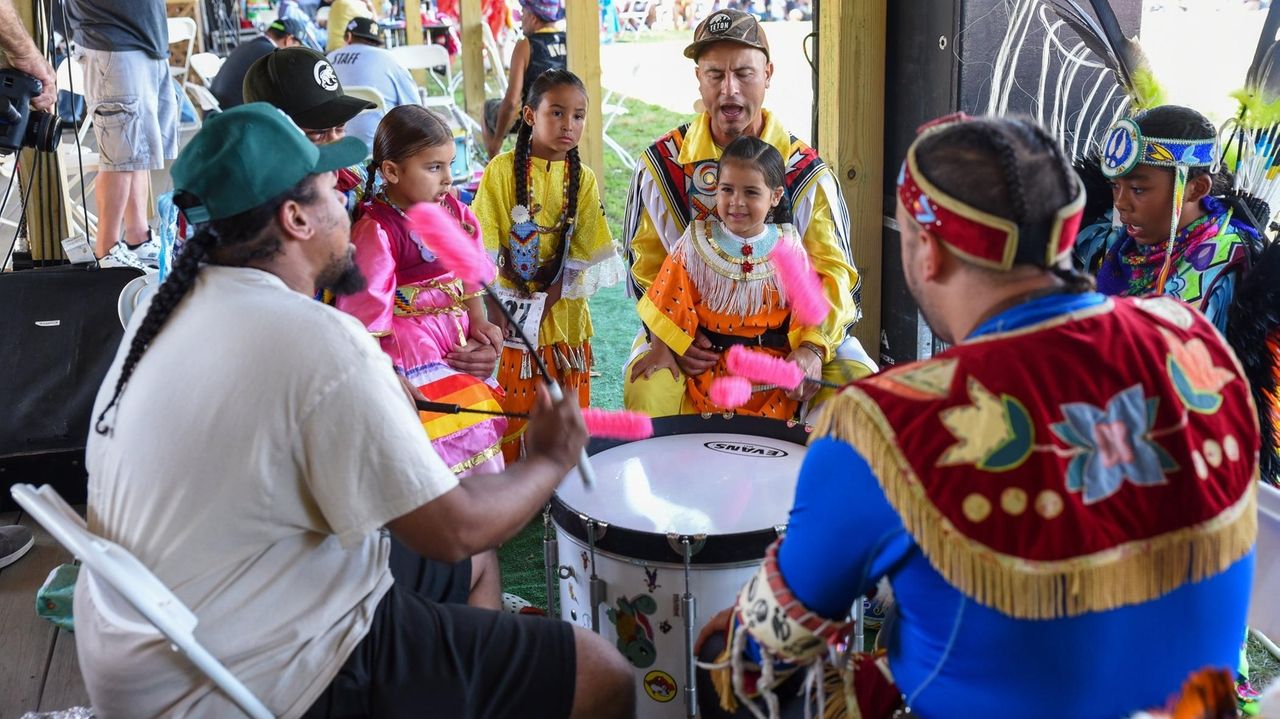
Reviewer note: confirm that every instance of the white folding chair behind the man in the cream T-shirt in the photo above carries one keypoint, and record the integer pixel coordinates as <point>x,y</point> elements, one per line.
<point>111,567</point>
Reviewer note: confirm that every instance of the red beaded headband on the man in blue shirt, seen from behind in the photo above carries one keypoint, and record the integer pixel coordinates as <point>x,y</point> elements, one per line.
<point>979,237</point>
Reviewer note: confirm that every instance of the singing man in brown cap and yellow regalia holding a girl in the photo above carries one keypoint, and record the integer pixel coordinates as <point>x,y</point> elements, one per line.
<point>675,184</point>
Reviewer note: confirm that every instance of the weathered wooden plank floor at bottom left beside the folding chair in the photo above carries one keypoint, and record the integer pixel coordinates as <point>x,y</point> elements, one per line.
<point>38,661</point>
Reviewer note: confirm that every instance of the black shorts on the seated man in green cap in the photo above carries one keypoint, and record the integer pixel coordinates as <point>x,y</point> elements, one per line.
<point>454,662</point>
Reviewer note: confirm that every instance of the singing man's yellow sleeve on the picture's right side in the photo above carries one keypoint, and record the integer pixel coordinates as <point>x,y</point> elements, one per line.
<point>838,277</point>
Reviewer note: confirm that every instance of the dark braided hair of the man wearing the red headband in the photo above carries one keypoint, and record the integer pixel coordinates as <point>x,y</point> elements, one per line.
<point>1009,168</point>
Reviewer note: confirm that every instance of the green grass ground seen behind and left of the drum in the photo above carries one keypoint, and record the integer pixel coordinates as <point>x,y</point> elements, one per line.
<point>616,326</point>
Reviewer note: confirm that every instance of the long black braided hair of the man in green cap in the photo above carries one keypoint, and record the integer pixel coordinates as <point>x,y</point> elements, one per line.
<point>234,241</point>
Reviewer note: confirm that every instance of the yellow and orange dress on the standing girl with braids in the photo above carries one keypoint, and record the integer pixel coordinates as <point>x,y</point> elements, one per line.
<point>592,263</point>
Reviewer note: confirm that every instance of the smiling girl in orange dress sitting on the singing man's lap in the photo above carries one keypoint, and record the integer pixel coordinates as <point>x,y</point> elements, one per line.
<point>720,281</point>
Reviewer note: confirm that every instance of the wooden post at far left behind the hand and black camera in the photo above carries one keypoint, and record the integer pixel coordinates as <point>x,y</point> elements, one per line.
<point>47,218</point>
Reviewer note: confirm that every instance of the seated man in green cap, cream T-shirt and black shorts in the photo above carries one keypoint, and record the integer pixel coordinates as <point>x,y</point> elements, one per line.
<point>262,501</point>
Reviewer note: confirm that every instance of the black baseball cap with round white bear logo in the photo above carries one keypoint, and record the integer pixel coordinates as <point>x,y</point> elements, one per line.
<point>304,85</point>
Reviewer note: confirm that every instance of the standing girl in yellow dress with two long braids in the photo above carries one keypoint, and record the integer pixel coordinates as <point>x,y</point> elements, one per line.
<point>541,214</point>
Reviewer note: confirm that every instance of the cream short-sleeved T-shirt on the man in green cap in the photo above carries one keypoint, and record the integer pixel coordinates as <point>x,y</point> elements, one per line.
<point>258,450</point>
